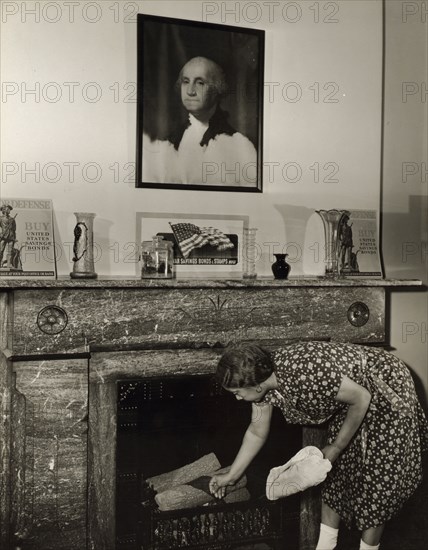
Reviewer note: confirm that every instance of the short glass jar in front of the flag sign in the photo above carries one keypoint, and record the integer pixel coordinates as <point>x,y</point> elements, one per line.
<point>157,259</point>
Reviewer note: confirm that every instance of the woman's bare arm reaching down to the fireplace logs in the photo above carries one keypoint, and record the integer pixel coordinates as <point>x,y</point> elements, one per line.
<point>253,441</point>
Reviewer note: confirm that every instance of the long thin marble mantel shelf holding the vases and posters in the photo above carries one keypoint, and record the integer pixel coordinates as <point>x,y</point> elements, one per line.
<point>181,283</point>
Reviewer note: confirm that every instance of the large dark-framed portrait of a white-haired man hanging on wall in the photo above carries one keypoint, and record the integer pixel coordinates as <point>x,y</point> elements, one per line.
<point>199,105</point>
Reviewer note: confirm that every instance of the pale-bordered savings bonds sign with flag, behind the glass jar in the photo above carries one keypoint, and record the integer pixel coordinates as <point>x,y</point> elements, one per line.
<point>215,258</point>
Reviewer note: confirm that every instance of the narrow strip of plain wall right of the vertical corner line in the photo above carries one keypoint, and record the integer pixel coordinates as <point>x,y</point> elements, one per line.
<point>405,177</point>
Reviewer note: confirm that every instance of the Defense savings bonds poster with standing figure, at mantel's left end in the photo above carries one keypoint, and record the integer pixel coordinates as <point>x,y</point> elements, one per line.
<point>27,247</point>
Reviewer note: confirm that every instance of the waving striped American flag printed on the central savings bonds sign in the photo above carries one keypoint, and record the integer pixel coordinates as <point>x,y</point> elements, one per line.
<point>190,236</point>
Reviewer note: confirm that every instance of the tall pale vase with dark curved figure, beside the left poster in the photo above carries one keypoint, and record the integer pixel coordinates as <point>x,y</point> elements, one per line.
<point>83,247</point>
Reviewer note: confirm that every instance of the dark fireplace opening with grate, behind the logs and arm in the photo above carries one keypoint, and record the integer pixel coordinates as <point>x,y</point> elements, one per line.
<point>168,422</point>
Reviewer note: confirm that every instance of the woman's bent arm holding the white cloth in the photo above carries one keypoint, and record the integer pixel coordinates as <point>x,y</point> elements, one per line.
<point>358,399</point>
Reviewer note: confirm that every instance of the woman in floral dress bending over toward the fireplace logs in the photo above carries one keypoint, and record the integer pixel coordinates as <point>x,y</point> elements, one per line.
<point>376,426</point>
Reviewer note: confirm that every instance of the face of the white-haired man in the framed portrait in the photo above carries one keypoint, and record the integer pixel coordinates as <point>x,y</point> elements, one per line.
<point>199,92</point>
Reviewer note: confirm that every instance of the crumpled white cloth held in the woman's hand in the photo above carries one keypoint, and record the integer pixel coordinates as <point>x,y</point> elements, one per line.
<point>306,469</point>
